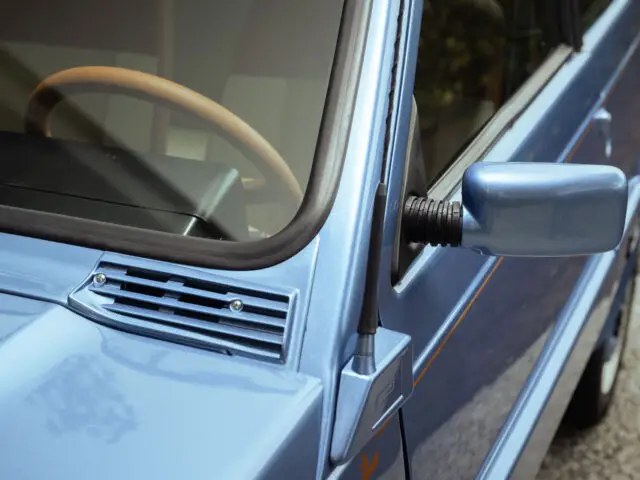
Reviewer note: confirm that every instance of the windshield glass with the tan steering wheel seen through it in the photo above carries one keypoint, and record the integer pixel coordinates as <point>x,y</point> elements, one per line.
<point>193,117</point>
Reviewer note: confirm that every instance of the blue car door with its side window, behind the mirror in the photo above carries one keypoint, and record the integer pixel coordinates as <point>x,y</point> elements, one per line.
<point>494,81</point>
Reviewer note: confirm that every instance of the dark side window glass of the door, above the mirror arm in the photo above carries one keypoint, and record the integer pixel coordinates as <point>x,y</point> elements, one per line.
<point>473,55</point>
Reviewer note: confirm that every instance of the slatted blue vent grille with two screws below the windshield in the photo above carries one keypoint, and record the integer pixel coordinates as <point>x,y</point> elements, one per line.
<point>189,310</point>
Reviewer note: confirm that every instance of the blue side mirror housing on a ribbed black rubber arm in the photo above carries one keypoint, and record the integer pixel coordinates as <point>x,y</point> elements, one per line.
<point>533,209</point>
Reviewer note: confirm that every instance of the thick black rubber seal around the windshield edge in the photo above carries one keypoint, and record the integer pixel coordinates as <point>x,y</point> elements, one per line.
<point>315,208</point>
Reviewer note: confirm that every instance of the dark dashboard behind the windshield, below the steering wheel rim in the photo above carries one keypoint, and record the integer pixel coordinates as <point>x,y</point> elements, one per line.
<point>113,185</point>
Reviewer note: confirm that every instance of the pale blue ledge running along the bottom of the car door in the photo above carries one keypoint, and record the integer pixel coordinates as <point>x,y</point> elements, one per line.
<point>597,295</point>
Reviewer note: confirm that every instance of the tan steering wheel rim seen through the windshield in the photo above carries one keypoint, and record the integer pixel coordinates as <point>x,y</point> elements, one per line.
<point>56,87</point>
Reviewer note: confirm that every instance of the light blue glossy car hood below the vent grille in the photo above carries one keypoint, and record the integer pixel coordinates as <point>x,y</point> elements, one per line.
<point>80,400</point>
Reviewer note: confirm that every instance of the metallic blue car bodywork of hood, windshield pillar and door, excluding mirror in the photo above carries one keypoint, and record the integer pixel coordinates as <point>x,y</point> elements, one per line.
<point>495,345</point>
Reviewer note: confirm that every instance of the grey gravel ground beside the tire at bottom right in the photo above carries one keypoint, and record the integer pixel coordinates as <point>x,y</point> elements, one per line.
<point>610,450</point>
